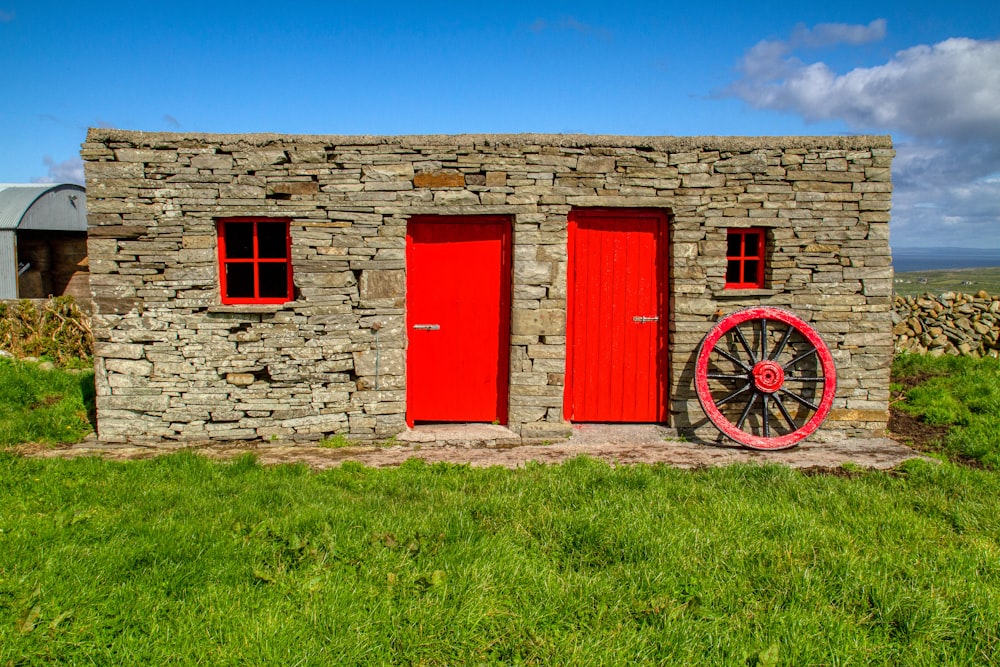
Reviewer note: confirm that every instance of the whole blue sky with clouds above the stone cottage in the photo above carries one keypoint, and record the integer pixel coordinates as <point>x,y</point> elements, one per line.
<point>926,72</point>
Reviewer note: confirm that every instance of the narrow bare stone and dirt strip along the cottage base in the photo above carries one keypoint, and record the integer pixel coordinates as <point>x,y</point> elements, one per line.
<point>615,444</point>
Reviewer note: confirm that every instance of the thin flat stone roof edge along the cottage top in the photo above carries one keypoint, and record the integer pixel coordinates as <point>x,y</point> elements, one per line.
<point>671,143</point>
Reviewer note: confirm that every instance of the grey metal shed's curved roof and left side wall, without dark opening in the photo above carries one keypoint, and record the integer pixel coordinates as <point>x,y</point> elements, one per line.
<point>42,206</point>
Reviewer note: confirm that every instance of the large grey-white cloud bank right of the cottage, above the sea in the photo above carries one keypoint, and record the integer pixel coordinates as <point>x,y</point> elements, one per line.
<point>941,101</point>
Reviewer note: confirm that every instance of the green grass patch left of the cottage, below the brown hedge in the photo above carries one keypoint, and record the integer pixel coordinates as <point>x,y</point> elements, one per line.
<point>49,406</point>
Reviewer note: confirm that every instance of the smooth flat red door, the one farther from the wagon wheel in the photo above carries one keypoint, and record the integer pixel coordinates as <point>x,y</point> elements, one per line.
<point>457,318</point>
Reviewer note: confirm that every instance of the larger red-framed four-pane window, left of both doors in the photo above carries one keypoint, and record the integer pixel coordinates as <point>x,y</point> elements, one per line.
<point>254,260</point>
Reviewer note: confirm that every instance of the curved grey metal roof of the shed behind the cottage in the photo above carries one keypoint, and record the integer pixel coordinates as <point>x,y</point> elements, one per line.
<point>60,206</point>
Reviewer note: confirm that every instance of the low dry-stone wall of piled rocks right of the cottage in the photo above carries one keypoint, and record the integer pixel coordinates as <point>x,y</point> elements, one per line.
<point>952,323</point>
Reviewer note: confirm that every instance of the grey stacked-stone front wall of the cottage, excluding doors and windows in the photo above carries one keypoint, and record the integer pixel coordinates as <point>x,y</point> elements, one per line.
<point>174,363</point>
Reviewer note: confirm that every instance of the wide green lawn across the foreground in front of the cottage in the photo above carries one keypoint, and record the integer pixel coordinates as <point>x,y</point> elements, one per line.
<point>180,560</point>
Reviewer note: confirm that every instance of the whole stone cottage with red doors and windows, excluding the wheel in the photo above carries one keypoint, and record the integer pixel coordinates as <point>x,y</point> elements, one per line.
<point>274,286</point>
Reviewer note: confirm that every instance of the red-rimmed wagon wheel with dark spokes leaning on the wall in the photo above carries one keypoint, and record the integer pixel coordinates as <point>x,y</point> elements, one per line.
<point>765,378</point>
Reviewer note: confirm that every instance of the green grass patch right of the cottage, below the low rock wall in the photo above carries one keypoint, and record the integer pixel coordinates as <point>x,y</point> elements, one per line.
<point>959,392</point>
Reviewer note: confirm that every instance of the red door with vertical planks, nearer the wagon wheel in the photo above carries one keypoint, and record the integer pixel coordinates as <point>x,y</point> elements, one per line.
<point>616,356</point>
